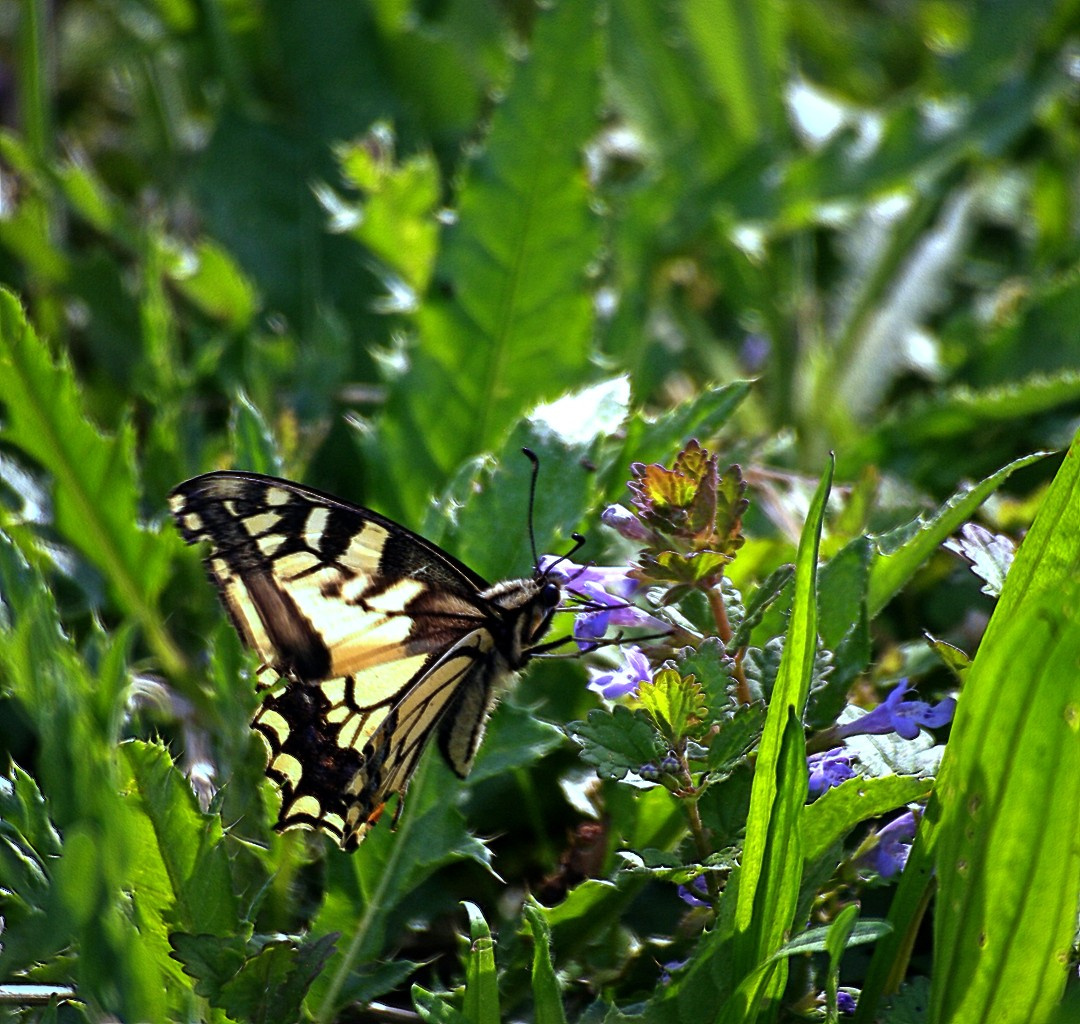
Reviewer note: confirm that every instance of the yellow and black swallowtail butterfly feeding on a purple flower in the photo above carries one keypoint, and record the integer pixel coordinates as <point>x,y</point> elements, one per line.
<point>377,641</point>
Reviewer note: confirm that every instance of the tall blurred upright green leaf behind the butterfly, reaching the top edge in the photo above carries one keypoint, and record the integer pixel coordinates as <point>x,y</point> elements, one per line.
<point>518,325</point>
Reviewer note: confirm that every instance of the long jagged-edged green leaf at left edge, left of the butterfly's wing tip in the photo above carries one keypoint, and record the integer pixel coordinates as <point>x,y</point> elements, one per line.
<point>96,501</point>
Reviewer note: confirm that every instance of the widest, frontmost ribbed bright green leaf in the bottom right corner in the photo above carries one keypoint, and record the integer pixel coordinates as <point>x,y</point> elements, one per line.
<point>1009,796</point>
